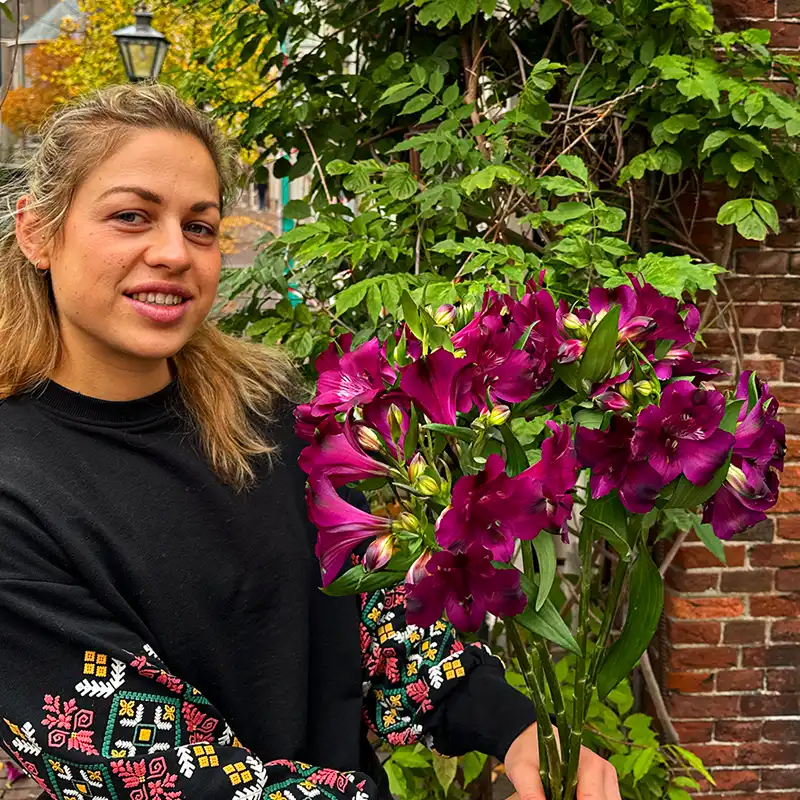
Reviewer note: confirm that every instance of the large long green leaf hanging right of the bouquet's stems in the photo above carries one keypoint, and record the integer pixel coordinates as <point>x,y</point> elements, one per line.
<point>646,601</point>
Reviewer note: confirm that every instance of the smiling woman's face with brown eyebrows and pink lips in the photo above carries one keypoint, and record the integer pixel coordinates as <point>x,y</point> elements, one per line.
<point>136,267</point>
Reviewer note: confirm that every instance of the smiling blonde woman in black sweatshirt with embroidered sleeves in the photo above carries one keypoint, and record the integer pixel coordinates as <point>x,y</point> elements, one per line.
<point>163,634</point>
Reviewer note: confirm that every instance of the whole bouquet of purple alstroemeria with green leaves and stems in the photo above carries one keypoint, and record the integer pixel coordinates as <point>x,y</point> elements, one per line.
<point>487,433</point>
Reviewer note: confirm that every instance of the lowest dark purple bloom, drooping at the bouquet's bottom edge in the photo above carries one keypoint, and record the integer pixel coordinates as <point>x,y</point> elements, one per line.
<point>465,585</point>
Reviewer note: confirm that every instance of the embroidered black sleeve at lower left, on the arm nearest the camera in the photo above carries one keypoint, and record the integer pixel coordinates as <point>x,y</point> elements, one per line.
<point>89,710</point>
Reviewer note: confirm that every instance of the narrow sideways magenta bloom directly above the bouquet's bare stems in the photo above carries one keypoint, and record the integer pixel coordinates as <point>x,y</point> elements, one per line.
<point>547,485</point>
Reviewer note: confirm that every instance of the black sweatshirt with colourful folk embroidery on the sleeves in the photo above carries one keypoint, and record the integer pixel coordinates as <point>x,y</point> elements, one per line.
<point>164,637</point>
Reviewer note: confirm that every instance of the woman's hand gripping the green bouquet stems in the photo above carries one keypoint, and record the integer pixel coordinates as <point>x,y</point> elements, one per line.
<point>597,779</point>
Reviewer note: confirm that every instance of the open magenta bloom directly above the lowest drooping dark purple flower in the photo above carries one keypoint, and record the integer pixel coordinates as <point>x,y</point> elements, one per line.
<point>486,510</point>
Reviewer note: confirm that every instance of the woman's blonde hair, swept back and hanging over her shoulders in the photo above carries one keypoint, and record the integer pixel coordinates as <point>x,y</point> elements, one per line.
<point>229,386</point>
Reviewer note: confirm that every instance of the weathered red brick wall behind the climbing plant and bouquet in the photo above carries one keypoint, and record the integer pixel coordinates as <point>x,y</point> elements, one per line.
<point>733,659</point>
